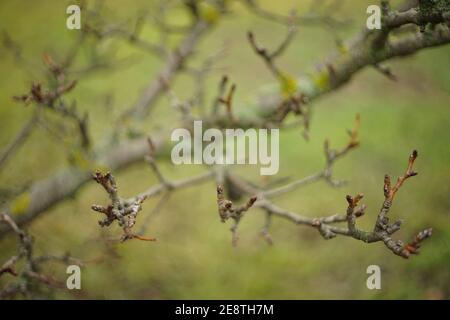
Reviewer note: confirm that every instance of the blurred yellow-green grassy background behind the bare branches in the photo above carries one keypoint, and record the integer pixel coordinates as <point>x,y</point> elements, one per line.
<point>193,257</point>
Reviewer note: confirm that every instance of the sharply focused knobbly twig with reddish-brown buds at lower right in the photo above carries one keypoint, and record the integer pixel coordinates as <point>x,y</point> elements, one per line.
<point>382,231</point>
